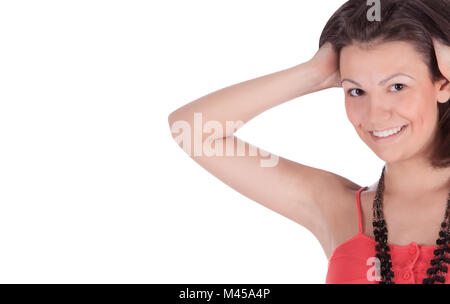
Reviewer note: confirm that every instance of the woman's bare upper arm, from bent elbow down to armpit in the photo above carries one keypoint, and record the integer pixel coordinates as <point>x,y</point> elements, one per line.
<point>312,197</point>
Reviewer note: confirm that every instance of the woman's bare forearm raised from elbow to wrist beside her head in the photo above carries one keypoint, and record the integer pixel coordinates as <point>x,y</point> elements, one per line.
<point>245,100</point>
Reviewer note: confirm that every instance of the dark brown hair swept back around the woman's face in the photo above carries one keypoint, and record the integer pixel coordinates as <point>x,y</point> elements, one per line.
<point>414,21</point>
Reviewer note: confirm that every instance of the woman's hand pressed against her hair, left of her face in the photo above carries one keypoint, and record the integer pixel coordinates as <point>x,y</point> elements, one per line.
<point>325,62</point>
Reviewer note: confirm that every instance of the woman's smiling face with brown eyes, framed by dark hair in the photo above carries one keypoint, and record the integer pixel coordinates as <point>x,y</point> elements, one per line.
<point>377,100</point>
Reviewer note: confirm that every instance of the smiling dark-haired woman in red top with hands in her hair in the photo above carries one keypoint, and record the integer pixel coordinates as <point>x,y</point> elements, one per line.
<point>397,99</point>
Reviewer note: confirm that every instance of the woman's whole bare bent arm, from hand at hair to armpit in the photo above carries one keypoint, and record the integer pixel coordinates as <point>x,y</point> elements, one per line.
<point>291,189</point>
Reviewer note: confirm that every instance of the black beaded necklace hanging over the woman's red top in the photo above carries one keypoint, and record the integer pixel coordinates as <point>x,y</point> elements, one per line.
<point>436,273</point>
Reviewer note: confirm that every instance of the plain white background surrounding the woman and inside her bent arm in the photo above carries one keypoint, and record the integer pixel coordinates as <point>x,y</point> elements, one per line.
<point>93,189</point>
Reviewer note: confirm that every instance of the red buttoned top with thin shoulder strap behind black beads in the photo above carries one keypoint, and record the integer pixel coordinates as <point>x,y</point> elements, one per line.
<point>353,262</point>
